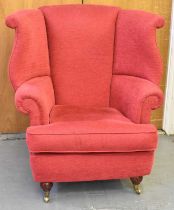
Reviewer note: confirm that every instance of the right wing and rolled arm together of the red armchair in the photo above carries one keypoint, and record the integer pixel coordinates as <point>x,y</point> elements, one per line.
<point>137,66</point>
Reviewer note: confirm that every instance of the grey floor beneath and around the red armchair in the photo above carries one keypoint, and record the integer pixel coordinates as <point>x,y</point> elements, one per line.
<point>19,192</point>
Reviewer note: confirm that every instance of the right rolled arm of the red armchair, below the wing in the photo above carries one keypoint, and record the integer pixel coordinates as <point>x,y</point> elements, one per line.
<point>135,97</point>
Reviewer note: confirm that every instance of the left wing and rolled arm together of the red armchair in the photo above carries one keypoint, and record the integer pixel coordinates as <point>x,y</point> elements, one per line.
<point>29,69</point>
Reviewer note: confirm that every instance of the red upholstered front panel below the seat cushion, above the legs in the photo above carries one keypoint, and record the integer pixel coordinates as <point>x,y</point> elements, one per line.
<point>89,167</point>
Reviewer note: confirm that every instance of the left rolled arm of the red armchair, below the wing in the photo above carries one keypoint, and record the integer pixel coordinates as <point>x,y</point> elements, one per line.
<point>36,98</point>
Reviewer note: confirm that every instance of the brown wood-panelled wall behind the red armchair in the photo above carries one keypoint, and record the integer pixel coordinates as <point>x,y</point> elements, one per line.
<point>13,121</point>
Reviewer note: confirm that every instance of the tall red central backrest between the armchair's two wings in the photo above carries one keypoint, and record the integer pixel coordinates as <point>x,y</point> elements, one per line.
<point>81,52</point>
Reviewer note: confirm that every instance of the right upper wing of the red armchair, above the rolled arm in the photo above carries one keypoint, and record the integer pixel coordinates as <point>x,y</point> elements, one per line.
<point>136,52</point>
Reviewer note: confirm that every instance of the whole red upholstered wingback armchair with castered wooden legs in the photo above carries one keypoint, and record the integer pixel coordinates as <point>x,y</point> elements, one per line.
<point>88,76</point>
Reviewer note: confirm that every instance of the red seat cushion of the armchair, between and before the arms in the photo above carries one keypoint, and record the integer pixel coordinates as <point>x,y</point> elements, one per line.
<point>84,130</point>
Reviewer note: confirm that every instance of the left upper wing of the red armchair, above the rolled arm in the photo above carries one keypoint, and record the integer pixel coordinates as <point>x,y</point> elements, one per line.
<point>29,57</point>
